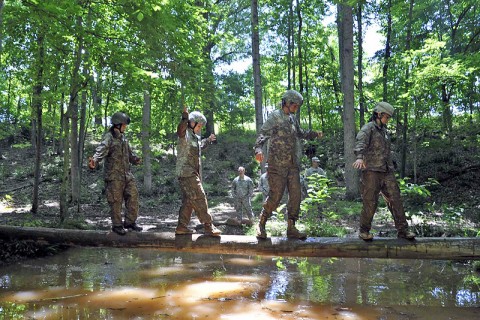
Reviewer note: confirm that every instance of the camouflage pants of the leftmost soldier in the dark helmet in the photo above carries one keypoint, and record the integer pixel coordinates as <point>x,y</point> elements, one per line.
<point>118,191</point>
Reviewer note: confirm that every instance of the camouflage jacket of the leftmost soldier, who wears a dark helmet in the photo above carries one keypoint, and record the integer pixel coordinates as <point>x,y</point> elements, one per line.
<point>118,156</point>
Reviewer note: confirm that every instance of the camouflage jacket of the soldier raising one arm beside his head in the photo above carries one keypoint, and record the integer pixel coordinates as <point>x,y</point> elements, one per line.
<point>189,150</point>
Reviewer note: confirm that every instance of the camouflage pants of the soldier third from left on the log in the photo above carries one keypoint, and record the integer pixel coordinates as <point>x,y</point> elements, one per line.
<point>278,180</point>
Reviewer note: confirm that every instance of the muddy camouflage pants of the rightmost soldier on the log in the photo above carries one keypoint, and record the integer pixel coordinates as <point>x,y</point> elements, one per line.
<point>372,184</point>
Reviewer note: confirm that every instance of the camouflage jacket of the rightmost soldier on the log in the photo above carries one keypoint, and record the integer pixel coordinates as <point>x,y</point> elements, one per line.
<point>374,147</point>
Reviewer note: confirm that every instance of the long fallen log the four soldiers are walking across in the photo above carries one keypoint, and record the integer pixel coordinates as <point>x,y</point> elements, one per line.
<point>421,248</point>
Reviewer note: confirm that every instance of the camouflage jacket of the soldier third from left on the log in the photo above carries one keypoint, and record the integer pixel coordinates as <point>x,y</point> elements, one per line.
<point>284,135</point>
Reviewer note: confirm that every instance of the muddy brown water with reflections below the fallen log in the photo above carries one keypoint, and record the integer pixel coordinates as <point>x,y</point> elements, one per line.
<point>114,283</point>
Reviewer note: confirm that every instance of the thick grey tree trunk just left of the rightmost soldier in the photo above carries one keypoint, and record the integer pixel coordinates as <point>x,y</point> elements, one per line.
<point>345,25</point>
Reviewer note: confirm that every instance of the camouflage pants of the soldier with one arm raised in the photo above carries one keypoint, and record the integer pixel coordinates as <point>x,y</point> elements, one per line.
<point>193,199</point>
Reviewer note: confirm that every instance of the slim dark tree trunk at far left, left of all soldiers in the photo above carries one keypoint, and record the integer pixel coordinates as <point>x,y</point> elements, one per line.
<point>37,106</point>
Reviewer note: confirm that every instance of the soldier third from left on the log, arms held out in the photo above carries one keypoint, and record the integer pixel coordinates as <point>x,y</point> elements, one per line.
<point>283,133</point>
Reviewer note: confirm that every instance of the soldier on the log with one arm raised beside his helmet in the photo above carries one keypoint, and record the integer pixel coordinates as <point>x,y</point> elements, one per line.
<point>188,170</point>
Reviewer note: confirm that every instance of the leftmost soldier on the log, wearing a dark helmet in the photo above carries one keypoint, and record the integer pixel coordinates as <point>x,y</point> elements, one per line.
<point>120,184</point>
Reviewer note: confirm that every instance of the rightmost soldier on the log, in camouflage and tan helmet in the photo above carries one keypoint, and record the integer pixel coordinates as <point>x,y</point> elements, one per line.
<point>373,153</point>
